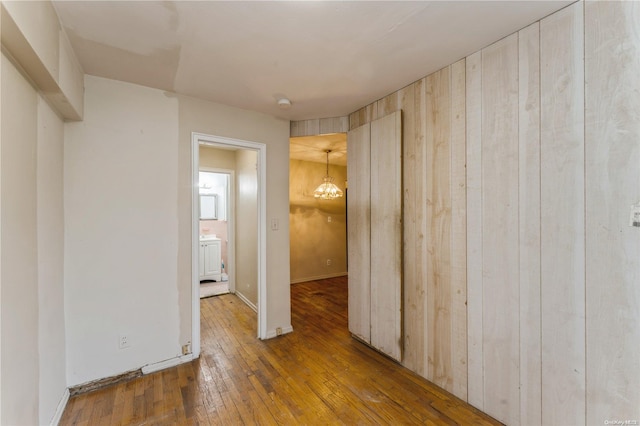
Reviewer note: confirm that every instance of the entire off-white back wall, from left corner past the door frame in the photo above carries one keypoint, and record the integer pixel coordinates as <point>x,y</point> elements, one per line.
<point>128,222</point>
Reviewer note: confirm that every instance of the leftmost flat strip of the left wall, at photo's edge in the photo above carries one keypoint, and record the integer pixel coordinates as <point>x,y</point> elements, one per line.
<point>20,364</point>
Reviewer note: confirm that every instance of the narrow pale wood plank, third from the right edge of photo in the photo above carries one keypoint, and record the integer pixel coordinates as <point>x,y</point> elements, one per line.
<point>529,217</point>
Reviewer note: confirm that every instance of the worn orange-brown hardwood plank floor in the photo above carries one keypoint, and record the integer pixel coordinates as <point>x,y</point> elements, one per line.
<point>316,375</point>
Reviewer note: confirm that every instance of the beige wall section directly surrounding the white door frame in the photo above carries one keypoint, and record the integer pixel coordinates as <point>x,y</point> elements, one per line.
<point>219,120</point>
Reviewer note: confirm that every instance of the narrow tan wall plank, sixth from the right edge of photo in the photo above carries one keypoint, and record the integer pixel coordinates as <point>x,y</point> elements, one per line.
<point>458,246</point>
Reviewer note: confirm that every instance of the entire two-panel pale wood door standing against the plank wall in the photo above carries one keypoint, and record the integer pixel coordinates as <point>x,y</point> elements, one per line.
<point>374,210</point>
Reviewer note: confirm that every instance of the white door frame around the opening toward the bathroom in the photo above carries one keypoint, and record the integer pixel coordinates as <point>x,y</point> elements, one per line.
<point>259,154</point>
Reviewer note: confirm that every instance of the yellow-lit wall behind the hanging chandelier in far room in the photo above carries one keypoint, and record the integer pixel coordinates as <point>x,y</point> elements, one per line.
<point>313,238</point>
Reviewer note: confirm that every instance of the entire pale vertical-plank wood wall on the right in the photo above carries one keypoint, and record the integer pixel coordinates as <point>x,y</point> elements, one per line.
<point>521,272</point>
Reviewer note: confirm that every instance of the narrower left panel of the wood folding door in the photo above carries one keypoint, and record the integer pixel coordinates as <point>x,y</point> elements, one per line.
<point>359,231</point>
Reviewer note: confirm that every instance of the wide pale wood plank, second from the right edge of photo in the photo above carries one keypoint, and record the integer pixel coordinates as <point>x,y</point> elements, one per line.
<point>562,217</point>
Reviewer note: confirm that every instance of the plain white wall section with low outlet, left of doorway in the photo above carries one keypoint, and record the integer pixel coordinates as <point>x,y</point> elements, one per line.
<point>121,235</point>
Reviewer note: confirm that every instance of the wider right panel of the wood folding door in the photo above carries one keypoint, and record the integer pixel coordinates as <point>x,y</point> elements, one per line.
<point>386,235</point>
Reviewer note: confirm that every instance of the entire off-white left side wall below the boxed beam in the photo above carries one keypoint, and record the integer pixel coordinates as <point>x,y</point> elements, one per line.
<point>32,305</point>
